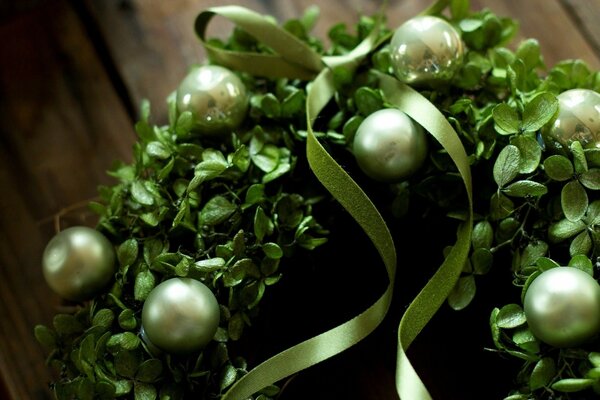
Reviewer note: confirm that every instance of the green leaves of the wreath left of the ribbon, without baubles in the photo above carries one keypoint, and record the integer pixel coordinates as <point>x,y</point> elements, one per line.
<point>226,211</point>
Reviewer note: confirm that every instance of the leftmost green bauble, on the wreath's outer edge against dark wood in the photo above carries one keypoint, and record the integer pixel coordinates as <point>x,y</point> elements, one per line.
<point>78,263</point>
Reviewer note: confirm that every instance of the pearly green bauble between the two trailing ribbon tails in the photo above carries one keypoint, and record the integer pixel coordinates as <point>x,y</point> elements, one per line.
<point>389,146</point>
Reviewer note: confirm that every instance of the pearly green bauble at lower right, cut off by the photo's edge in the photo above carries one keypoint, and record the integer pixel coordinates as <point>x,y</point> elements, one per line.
<point>562,306</point>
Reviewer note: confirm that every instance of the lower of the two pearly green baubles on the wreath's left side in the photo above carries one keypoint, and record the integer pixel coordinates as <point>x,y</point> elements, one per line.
<point>180,315</point>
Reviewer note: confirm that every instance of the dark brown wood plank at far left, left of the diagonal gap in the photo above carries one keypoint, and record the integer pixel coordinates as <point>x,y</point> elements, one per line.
<point>61,126</point>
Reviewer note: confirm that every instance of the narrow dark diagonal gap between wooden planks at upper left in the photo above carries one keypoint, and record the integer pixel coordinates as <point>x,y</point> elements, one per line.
<point>92,28</point>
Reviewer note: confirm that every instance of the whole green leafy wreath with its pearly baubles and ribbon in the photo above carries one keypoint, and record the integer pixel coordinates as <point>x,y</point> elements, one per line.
<point>281,150</point>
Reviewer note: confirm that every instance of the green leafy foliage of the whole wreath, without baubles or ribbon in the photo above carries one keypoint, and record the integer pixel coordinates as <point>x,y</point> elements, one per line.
<point>237,212</point>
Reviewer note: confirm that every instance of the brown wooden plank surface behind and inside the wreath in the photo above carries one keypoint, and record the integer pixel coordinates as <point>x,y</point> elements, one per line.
<point>72,74</point>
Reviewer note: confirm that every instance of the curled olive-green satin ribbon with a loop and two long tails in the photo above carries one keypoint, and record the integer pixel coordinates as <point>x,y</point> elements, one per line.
<point>292,58</point>
